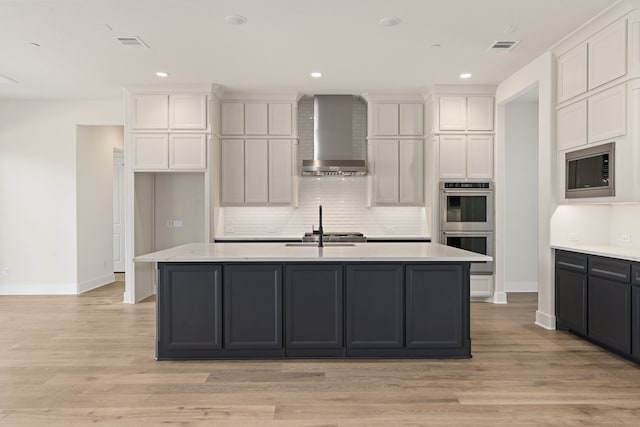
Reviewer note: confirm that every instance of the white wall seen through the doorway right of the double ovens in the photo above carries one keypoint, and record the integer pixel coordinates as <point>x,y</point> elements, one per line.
<point>521,196</point>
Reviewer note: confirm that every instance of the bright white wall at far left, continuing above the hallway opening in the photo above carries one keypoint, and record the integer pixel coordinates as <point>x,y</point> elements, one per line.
<point>38,232</point>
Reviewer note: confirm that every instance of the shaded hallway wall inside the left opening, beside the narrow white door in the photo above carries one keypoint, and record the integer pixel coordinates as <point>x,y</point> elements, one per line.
<point>94,183</point>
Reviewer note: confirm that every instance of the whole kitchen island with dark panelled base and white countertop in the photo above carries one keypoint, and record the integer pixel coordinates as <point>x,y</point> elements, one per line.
<point>274,300</point>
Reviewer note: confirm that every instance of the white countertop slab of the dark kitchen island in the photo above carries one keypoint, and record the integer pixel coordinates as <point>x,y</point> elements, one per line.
<point>279,252</point>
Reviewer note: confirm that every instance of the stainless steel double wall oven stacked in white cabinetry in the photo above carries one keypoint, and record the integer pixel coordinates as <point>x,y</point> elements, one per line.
<point>467,219</point>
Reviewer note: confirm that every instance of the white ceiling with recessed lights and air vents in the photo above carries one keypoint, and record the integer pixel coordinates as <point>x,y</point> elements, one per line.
<point>276,49</point>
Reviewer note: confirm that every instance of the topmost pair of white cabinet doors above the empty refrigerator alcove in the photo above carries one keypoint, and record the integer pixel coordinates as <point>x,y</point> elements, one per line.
<point>162,111</point>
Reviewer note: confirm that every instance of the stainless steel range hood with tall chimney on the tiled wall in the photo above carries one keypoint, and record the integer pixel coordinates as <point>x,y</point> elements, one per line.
<point>333,152</point>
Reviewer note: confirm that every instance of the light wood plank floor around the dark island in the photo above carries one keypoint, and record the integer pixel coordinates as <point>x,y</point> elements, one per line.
<point>67,360</point>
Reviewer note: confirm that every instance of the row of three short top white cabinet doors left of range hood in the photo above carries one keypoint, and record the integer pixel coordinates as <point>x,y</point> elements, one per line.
<point>257,118</point>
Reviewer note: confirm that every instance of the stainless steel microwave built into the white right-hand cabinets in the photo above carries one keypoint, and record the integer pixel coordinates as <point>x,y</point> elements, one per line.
<point>590,172</point>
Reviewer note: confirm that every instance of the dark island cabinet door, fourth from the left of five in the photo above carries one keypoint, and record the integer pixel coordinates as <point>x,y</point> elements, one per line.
<point>374,307</point>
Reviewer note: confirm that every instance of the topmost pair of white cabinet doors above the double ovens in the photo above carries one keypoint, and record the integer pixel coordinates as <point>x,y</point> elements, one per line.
<point>465,113</point>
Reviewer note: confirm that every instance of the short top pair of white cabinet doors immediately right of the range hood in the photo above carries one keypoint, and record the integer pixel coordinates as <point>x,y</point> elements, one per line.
<point>397,119</point>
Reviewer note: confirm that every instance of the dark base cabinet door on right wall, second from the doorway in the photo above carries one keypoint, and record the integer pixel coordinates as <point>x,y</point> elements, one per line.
<point>610,313</point>
